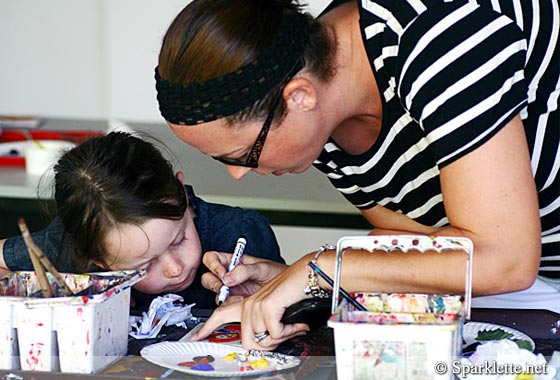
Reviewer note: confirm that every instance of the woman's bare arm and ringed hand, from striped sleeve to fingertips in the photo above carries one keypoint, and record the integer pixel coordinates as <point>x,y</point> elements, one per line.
<point>489,196</point>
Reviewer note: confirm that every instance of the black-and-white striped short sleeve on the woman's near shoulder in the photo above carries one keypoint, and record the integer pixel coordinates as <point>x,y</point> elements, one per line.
<point>461,76</point>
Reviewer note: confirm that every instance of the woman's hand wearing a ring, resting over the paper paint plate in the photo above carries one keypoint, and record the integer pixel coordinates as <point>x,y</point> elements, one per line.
<point>262,311</point>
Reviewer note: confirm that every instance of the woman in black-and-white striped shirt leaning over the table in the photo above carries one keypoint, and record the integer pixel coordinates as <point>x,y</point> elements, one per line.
<point>430,117</point>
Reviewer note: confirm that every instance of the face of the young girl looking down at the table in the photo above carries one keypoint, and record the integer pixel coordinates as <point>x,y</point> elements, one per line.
<point>169,250</point>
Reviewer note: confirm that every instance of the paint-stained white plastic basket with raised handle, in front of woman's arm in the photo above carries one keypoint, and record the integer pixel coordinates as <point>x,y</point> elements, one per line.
<point>400,336</point>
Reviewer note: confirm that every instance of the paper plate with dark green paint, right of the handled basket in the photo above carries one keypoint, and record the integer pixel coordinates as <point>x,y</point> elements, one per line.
<point>479,332</point>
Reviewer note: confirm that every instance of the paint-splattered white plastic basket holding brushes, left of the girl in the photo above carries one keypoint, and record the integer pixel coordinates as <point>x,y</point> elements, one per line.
<point>83,333</point>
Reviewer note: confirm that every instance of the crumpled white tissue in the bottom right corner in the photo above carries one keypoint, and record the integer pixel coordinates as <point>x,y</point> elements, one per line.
<point>502,359</point>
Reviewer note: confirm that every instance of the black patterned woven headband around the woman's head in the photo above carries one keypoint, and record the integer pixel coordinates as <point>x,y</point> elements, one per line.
<point>219,97</point>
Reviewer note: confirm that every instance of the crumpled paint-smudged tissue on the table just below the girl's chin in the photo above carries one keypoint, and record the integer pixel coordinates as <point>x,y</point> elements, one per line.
<point>163,311</point>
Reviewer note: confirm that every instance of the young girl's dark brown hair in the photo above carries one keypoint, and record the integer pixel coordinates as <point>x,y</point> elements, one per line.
<point>111,180</point>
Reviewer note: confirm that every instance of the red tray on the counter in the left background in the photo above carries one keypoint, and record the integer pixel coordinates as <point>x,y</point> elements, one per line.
<point>15,135</point>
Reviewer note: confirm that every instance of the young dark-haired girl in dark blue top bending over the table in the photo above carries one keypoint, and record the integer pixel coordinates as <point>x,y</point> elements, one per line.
<point>121,206</point>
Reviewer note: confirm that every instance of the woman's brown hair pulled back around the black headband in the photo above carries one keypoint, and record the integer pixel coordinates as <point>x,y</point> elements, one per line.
<point>212,38</point>
